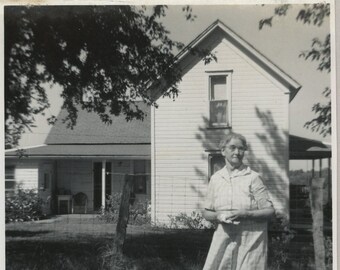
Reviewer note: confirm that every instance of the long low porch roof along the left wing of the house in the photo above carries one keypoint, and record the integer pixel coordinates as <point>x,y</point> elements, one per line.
<point>122,151</point>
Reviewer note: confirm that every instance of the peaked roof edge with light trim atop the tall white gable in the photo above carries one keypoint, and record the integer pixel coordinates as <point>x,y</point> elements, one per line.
<point>249,50</point>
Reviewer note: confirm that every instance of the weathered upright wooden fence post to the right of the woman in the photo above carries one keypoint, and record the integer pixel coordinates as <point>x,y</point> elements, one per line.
<point>316,201</point>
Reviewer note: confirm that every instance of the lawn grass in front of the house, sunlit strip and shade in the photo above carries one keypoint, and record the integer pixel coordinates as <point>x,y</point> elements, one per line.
<point>86,243</point>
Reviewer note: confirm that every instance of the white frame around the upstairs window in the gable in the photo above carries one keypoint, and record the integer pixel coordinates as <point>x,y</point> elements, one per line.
<point>228,75</point>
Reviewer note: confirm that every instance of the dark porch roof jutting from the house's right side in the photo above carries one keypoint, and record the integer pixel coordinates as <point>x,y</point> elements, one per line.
<point>303,148</point>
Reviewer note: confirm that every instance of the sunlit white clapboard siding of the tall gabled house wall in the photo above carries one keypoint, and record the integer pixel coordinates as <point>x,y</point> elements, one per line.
<point>259,109</point>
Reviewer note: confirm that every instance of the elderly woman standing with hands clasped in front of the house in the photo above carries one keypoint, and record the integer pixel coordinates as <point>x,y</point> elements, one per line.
<point>238,200</point>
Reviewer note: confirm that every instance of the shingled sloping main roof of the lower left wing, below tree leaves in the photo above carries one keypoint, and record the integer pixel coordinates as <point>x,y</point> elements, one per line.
<point>89,129</point>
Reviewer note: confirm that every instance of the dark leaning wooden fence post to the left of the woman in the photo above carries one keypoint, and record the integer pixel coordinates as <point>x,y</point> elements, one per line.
<point>123,217</point>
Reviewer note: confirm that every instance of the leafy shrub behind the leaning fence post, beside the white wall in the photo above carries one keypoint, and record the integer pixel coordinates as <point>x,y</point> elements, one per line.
<point>139,211</point>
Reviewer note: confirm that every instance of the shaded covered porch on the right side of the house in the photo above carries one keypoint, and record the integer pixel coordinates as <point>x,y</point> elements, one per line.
<point>318,154</point>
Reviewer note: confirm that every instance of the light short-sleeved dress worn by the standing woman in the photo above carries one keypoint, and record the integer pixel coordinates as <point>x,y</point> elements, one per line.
<point>242,246</point>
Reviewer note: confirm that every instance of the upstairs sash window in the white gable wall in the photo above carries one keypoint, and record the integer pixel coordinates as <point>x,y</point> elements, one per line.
<point>219,100</point>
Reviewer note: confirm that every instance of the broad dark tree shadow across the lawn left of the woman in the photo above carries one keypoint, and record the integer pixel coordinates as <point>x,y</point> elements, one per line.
<point>166,249</point>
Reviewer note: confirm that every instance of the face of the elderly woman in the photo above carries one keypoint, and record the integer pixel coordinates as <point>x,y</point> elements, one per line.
<point>233,152</point>
